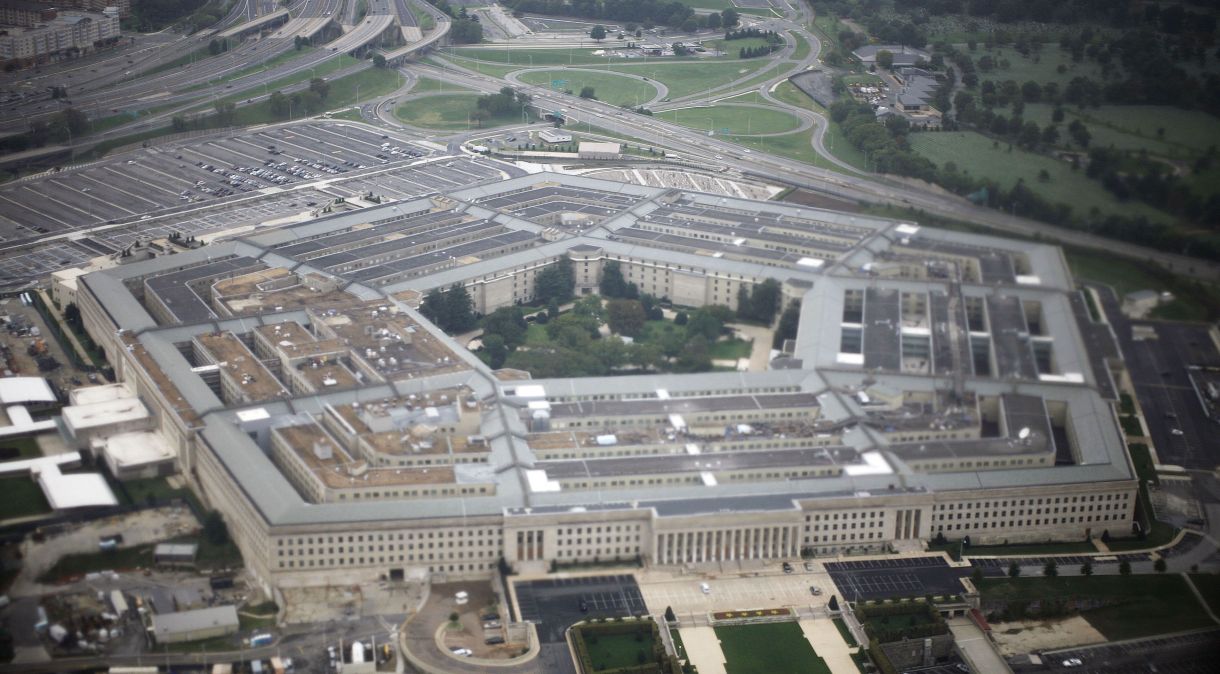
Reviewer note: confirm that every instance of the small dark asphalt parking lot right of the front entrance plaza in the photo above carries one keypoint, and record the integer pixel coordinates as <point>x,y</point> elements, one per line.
<point>905,577</point>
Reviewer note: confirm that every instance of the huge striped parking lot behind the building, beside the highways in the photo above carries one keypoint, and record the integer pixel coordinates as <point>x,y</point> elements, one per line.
<point>213,185</point>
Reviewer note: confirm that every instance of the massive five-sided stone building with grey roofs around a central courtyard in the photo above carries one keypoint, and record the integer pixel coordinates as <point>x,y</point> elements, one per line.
<point>940,383</point>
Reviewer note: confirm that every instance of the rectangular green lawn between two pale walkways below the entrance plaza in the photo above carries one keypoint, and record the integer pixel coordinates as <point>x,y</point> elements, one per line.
<point>769,649</point>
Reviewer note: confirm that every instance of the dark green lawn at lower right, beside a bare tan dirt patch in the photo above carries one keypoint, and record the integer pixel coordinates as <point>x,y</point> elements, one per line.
<point>1143,606</point>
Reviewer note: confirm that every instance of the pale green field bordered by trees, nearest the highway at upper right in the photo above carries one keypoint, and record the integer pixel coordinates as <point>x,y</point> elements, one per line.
<point>983,158</point>
